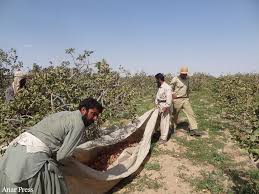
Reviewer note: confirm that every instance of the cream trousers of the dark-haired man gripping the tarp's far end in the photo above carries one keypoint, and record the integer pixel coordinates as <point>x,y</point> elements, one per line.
<point>165,123</point>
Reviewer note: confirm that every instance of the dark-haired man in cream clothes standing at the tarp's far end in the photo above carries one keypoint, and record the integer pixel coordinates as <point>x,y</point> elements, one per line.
<point>163,101</point>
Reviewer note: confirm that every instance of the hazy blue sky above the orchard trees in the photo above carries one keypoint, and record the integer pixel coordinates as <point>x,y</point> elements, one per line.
<point>213,36</point>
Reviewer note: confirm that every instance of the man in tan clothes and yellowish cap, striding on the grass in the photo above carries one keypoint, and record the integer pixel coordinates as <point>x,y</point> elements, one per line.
<point>180,94</point>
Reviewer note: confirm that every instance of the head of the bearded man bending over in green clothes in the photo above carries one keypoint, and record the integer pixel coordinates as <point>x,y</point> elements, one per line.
<point>90,110</point>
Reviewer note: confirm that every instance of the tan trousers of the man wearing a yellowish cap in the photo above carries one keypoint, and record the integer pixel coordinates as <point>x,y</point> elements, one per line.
<point>184,104</point>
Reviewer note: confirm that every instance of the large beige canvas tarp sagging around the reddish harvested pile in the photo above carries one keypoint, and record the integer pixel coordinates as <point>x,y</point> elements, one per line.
<point>82,179</point>
